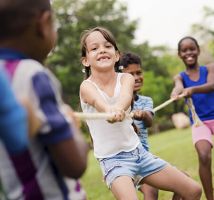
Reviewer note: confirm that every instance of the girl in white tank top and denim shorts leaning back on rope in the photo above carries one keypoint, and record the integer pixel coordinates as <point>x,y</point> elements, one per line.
<point>116,145</point>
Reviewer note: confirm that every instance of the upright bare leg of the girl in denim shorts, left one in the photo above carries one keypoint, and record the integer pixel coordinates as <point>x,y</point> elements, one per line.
<point>123,188</point>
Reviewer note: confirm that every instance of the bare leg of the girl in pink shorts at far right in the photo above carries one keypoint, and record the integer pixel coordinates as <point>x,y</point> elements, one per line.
<point>203,149</point>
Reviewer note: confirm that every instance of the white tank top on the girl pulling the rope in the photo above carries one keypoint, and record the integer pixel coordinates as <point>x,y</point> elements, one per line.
<point>110,139</point>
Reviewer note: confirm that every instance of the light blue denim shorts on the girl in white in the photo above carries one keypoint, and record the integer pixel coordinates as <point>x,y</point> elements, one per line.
<point>135,163</point>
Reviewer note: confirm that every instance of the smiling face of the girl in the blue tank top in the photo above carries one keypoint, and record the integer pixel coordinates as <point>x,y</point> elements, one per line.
<point>189,52</point>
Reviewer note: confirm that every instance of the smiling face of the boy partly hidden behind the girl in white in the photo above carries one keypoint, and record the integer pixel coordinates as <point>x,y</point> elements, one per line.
<point>136,71</point>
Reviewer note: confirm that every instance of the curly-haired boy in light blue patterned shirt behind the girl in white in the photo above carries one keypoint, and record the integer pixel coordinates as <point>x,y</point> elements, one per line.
<point>142,108</point>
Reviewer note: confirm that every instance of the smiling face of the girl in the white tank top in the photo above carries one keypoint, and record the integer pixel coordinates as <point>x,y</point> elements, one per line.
<point>100,53</point>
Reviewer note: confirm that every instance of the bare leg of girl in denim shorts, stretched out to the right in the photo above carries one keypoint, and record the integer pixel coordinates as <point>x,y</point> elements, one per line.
<point>171,179</point>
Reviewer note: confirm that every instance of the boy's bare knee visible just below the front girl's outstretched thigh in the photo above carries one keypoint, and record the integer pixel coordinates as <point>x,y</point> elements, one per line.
<point>149,192</point>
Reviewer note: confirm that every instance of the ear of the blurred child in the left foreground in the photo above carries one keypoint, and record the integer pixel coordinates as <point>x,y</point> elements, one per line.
<point>44,24</point>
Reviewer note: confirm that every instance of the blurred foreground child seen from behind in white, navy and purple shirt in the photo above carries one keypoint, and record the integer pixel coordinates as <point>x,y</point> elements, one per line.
<point>27,35</point>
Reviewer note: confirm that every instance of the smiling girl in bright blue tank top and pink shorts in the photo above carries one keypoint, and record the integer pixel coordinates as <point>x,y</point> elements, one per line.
<point>197,82</point>
